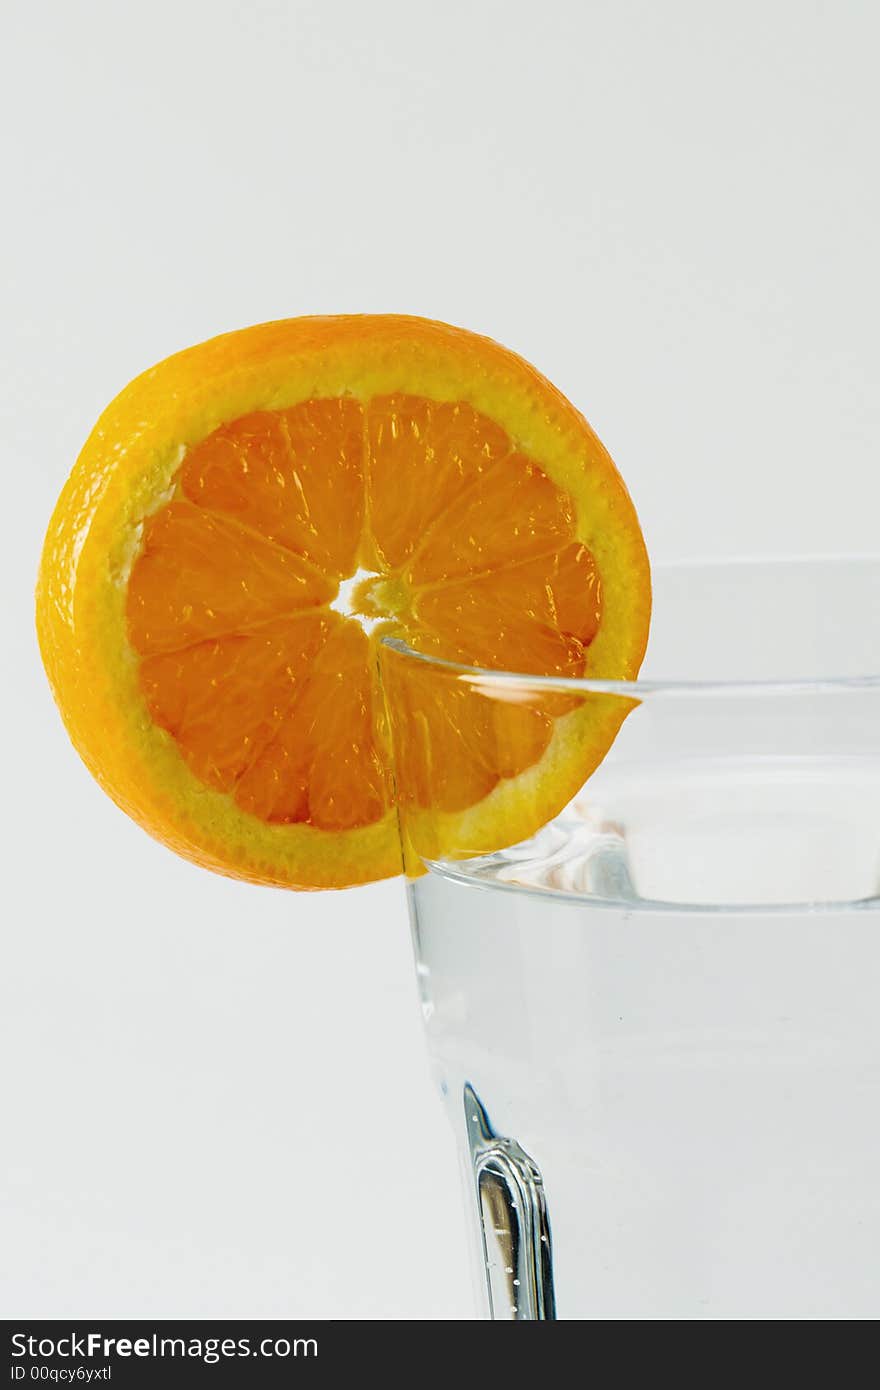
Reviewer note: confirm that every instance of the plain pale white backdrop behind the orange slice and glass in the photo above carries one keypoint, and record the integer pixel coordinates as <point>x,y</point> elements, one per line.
<point>216,1097</point>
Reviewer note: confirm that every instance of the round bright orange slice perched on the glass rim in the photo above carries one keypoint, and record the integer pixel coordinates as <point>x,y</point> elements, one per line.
<point>245,523</point>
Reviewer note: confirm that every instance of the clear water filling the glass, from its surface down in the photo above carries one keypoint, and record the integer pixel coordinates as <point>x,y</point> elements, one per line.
<point>669,1001</point>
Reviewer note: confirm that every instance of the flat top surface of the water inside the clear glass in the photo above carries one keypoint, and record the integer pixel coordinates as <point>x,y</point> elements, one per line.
<point>769,832</point>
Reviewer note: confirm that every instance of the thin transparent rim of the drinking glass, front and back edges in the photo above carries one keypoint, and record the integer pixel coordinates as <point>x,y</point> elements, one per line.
<point>496,678</point>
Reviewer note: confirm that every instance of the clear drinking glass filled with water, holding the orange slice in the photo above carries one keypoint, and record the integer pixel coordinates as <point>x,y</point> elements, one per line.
<point>655,1024</point>
